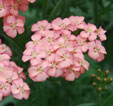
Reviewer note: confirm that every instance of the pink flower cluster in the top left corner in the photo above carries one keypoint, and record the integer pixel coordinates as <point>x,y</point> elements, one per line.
<point>13,22</point>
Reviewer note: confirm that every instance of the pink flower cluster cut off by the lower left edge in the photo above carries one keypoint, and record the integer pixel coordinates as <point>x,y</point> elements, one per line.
<point>11,76</point>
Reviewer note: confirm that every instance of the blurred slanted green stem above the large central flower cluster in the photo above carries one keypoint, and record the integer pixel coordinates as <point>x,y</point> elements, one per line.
<point>56,9</point>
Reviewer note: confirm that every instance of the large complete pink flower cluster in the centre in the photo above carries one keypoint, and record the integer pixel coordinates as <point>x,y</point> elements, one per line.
<point>56,52</point>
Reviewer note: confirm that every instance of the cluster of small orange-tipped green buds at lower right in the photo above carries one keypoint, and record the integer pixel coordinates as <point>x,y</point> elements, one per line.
<point>101,80</point>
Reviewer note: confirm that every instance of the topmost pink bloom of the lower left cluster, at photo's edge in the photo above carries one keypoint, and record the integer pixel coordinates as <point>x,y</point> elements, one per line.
<point>5,50</point>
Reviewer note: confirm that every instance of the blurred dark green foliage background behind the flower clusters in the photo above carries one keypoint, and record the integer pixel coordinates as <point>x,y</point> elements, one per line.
<point>58,92</point>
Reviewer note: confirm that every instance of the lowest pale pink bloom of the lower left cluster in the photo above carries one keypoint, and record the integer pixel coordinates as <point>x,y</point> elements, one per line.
<point>20,89</point>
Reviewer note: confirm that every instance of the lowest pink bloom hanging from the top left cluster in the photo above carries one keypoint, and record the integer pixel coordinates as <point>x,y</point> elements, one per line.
<point>13,25</point>
